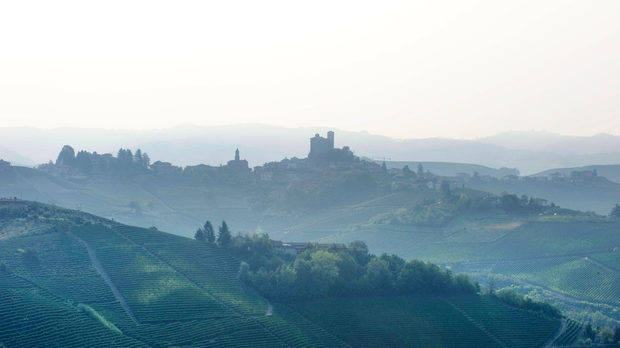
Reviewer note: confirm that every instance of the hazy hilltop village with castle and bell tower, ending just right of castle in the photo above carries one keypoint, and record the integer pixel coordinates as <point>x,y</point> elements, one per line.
<point>323,158</point>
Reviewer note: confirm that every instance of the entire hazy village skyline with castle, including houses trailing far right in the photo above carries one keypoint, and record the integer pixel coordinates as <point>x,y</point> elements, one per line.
<point>324,162</point>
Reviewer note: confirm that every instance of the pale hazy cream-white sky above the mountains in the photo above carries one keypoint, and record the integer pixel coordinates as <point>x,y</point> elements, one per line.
<point>405,69</point>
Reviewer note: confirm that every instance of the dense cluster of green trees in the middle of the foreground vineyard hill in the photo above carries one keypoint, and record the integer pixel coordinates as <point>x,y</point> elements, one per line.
<point>339,271</point>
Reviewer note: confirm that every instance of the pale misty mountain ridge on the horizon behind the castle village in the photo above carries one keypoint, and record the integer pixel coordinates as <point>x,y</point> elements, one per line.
<point>191,145</point>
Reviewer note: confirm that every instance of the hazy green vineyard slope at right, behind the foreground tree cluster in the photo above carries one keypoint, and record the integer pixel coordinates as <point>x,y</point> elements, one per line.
<point>569,260</point>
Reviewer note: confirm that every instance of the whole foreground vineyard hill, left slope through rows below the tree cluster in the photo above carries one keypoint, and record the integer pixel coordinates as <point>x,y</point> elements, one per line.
<point>73,279</point>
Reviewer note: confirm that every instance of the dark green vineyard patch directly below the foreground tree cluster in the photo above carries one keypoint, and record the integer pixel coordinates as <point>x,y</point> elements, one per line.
<point>428,322</point>
